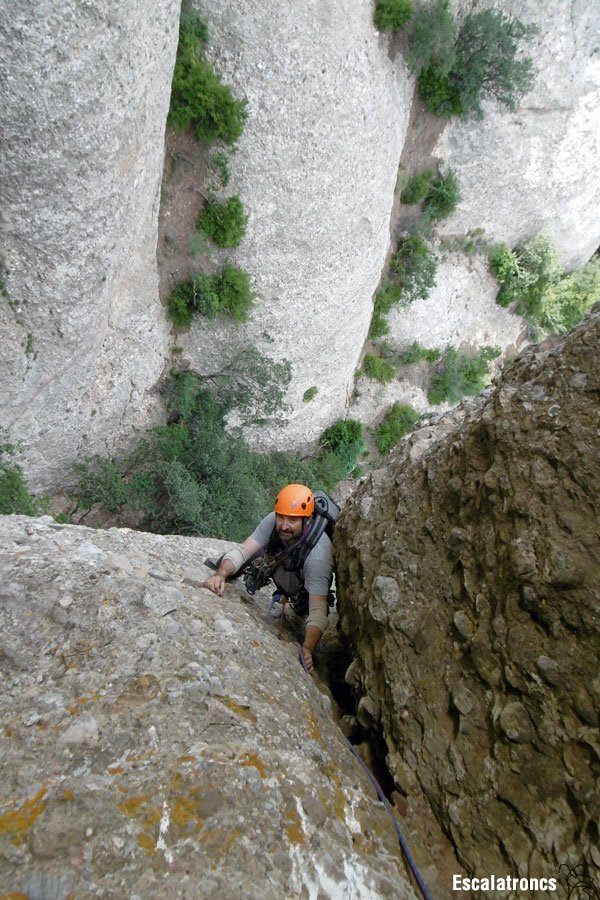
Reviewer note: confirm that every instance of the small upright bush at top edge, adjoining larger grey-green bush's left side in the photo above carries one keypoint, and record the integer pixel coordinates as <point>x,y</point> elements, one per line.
<point>431,38</point>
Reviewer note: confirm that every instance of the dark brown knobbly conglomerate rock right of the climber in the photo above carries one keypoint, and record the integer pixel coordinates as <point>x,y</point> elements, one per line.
<point>469,587</point>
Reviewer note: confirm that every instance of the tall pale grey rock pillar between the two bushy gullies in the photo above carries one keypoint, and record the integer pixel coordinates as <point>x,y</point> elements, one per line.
<point>316,168</point>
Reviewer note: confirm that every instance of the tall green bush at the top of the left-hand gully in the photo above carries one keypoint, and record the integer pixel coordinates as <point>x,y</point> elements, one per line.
<point>198,96</point>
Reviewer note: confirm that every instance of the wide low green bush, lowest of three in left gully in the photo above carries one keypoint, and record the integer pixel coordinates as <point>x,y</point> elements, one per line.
<point>227,292</point>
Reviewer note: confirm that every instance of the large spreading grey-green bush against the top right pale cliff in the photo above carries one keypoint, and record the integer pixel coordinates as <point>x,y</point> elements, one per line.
<point>482,59</point>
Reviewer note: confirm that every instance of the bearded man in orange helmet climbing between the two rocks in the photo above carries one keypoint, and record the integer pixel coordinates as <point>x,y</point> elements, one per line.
<point>283,538</point>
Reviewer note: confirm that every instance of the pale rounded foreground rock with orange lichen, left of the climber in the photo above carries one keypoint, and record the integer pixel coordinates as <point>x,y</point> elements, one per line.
<point>160,741</point>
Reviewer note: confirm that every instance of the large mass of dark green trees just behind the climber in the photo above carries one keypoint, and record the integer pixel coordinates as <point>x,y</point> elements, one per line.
<point>194,477</point>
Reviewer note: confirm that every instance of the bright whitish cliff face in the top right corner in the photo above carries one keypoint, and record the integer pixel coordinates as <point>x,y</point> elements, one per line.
<point>536,169</point>
